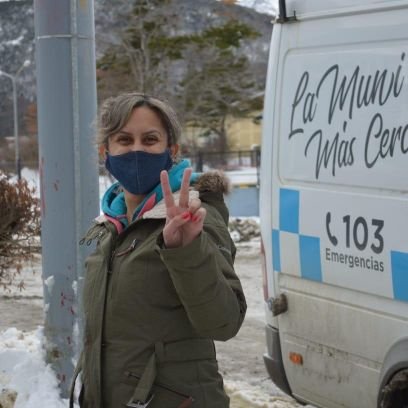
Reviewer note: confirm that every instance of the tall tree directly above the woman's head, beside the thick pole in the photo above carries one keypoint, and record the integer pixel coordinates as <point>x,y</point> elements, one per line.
<point>145,57</point>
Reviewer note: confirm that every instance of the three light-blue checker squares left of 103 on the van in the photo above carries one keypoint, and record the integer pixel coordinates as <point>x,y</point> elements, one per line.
<point>309,246</point>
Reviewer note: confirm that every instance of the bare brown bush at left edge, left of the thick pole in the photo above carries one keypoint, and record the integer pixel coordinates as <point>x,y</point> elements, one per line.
<point>19,227</point>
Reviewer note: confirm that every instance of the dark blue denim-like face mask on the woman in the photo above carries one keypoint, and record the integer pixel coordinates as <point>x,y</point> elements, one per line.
<point>138,172</point>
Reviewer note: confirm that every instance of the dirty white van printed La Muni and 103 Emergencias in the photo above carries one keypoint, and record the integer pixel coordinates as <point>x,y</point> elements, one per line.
<point>334,203</point>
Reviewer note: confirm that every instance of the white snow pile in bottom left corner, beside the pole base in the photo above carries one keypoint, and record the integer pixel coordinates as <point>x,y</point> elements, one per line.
<point>25,380</point>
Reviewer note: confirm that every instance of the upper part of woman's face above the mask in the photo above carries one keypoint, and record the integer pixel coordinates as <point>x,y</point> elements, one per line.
<point>144,131</point>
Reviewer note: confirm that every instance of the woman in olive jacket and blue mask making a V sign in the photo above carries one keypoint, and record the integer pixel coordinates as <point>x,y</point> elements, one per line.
<point>160,286</point>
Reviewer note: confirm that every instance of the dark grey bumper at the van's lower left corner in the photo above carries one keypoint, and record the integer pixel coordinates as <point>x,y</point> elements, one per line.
<point>273,360</point>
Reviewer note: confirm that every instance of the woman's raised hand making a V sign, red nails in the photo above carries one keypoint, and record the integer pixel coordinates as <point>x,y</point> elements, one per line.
<point>184,221</point>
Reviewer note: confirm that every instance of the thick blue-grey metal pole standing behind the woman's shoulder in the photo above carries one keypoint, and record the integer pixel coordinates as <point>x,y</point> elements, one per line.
<point>66,96</point>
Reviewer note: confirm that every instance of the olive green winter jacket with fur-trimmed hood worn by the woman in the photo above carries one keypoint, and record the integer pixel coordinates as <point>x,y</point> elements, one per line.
<point>151,314</point>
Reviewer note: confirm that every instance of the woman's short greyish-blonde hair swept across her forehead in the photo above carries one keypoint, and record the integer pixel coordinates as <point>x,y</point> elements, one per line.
<point>115,112</point>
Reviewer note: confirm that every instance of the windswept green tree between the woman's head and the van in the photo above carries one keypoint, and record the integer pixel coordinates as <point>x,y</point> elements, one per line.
<point>219,81</point>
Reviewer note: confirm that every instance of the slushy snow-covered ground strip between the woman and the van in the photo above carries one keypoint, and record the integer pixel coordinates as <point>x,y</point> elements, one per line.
<point>240,359</point>
